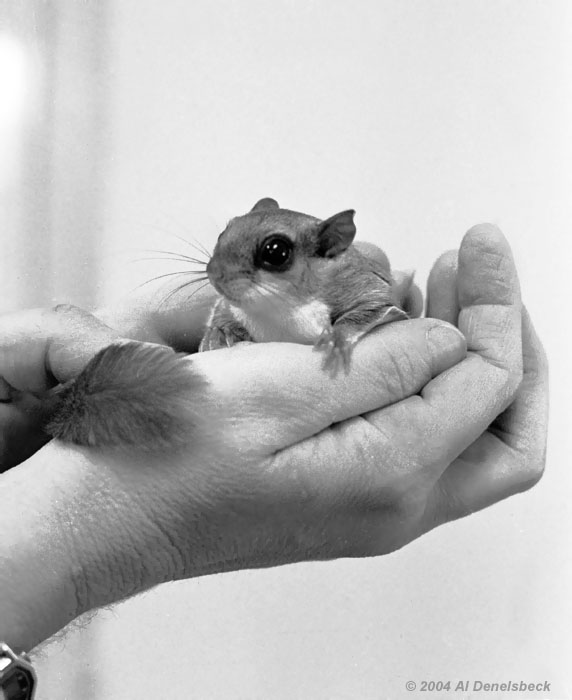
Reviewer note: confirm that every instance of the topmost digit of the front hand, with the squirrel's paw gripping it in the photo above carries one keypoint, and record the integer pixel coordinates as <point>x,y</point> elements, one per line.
<point>280,392</point>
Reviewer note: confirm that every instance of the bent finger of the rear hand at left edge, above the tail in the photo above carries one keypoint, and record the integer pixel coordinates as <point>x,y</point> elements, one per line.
<point>41,347</point>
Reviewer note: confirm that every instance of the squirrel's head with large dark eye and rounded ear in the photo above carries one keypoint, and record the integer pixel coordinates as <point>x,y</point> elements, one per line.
<point>271,253</point>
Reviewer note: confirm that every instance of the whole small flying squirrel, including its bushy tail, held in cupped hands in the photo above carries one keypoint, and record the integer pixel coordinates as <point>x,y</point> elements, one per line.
<point>280,275</point>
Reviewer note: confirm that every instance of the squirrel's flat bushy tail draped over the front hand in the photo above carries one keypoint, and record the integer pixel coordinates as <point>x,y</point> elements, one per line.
<point>130,394</point>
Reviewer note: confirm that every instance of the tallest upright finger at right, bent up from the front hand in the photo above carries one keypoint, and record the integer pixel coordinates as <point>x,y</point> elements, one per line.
<point>458,405</point>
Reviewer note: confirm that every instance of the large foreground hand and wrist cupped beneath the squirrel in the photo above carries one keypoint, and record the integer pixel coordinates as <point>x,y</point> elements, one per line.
<point>286,464</point>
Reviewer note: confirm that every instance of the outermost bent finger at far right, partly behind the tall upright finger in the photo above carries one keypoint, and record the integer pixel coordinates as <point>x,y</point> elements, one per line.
<point>511,456</point>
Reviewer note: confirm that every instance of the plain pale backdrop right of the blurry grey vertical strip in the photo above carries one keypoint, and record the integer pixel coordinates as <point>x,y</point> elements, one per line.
<point>426,117</point>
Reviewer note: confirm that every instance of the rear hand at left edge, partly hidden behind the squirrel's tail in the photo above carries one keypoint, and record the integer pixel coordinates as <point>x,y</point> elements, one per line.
<point>40,348</point>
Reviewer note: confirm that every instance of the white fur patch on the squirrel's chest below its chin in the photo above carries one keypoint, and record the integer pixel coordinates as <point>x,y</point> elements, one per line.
<point>302,323</point>
